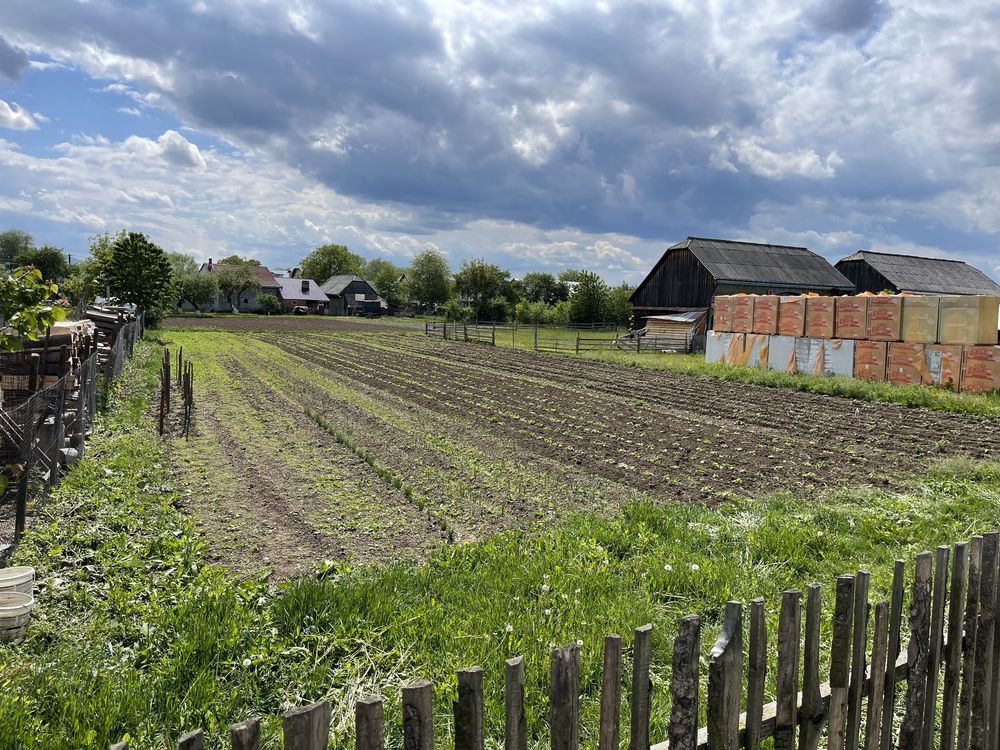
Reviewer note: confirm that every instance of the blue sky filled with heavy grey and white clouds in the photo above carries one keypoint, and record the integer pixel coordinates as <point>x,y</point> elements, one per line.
<point>540,136</point>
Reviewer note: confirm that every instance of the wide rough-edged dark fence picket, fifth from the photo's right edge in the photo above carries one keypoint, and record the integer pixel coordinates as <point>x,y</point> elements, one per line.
<point>916,654</point>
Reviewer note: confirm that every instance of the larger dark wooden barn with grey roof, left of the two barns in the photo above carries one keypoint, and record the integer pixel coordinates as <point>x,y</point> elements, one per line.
<point>692,272</point>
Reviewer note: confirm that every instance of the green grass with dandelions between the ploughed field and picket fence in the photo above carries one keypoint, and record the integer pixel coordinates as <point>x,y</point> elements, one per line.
<point>136,636</point>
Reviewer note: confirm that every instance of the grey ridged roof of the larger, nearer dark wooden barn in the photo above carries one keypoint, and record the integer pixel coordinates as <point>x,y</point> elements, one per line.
<point>757,263</point>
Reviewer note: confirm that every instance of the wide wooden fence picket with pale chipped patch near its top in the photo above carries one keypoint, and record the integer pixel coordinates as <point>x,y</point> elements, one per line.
<point>725,674</point>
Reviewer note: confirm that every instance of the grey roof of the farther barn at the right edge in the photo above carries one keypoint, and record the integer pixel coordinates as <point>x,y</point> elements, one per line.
<point>912,273</point>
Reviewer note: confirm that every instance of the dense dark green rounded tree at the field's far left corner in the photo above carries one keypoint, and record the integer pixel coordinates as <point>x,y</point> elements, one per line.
<point>137,271</point>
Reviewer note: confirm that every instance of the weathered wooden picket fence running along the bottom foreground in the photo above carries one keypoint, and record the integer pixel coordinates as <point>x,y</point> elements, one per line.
<point>951,671</point>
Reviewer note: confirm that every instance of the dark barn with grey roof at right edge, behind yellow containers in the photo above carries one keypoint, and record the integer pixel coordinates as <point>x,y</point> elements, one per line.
<point>879,272</point>
